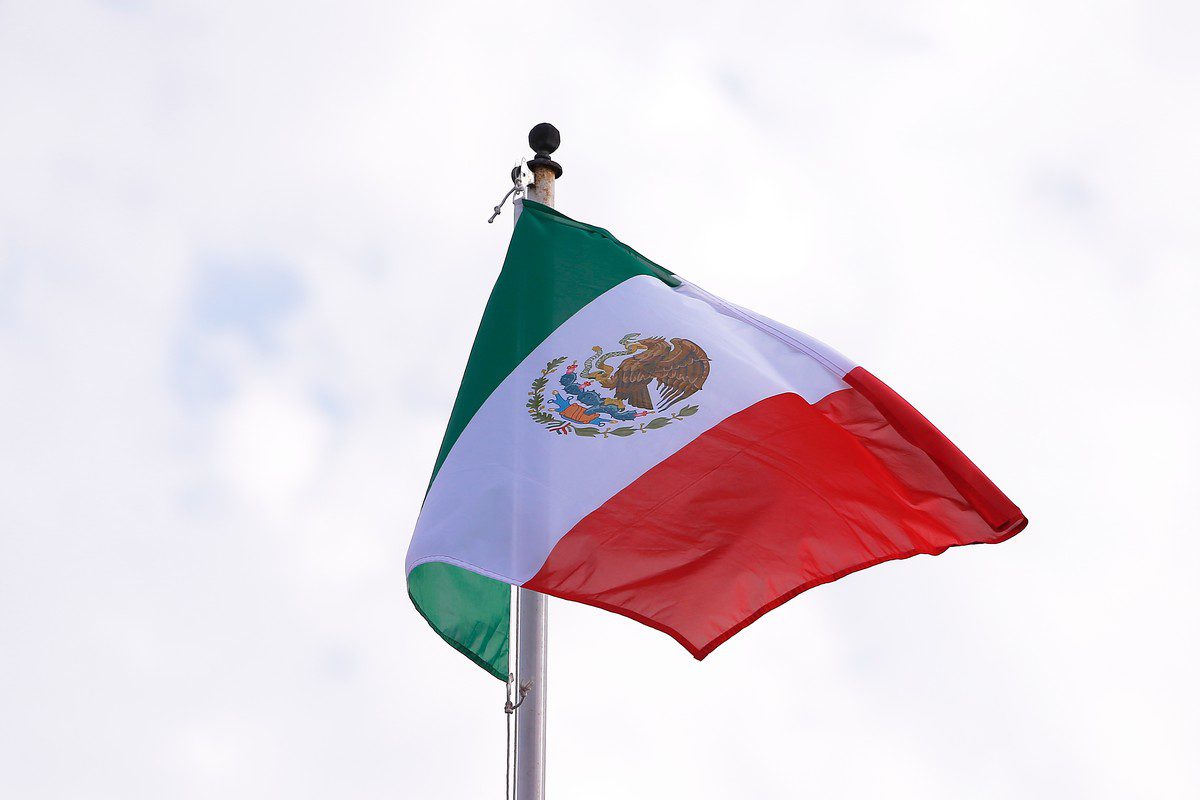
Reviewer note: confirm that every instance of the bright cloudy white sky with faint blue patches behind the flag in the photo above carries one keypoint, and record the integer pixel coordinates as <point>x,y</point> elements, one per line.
<point>243,254</point>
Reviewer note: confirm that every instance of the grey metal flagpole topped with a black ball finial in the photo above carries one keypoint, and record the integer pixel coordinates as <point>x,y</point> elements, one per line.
<point>531,749</point>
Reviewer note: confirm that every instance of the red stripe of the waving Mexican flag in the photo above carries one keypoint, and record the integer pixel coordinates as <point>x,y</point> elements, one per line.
<point>777,500</point>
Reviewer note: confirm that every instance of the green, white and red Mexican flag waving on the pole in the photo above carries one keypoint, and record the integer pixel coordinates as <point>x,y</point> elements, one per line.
<point>625,440</point>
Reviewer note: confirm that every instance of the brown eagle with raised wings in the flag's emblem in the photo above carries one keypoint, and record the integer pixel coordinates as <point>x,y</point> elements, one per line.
<point>681,372</point>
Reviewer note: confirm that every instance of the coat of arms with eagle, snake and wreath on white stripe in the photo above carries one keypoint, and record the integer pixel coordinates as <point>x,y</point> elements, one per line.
<point>640,384</point>
